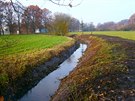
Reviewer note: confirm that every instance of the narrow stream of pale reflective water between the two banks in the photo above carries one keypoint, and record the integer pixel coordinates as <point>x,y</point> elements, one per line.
<point>49,84</point>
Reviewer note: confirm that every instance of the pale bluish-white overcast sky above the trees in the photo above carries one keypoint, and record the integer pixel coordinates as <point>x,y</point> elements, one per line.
<point>96,11</point>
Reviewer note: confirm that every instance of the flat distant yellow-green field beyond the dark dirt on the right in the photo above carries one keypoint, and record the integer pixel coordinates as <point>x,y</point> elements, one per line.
<point>122,34</point>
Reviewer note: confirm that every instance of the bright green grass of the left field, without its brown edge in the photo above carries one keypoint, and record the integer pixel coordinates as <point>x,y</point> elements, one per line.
<point>13,44</point>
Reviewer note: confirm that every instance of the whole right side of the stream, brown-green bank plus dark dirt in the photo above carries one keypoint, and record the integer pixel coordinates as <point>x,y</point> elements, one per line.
<point>106,72</point>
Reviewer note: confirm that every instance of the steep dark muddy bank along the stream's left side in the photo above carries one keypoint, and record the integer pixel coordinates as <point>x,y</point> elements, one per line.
<point>32,76</point>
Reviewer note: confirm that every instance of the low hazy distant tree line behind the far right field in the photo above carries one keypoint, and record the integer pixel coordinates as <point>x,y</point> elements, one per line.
<point>123,25</point>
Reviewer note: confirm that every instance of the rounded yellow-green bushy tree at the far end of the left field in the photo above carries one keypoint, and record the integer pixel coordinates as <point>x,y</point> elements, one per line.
<point>61,23</point>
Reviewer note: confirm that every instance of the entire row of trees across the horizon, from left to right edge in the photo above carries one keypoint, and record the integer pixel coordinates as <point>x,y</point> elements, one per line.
<point>26,20</point>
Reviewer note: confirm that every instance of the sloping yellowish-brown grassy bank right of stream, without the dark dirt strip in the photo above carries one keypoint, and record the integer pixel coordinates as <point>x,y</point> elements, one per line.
<point>94,73</point>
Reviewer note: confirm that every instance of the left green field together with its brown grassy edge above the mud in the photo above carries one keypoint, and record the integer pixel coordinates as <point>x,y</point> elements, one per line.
<point>20,53</point>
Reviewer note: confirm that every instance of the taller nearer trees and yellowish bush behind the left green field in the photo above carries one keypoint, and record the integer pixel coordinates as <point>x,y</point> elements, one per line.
<point>28,19</point>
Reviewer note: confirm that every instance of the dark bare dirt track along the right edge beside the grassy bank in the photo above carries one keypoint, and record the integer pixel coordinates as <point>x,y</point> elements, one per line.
<point>125,89</point>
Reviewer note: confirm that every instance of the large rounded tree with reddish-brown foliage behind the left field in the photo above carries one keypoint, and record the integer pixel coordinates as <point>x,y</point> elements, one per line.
<point>32,18</point>
